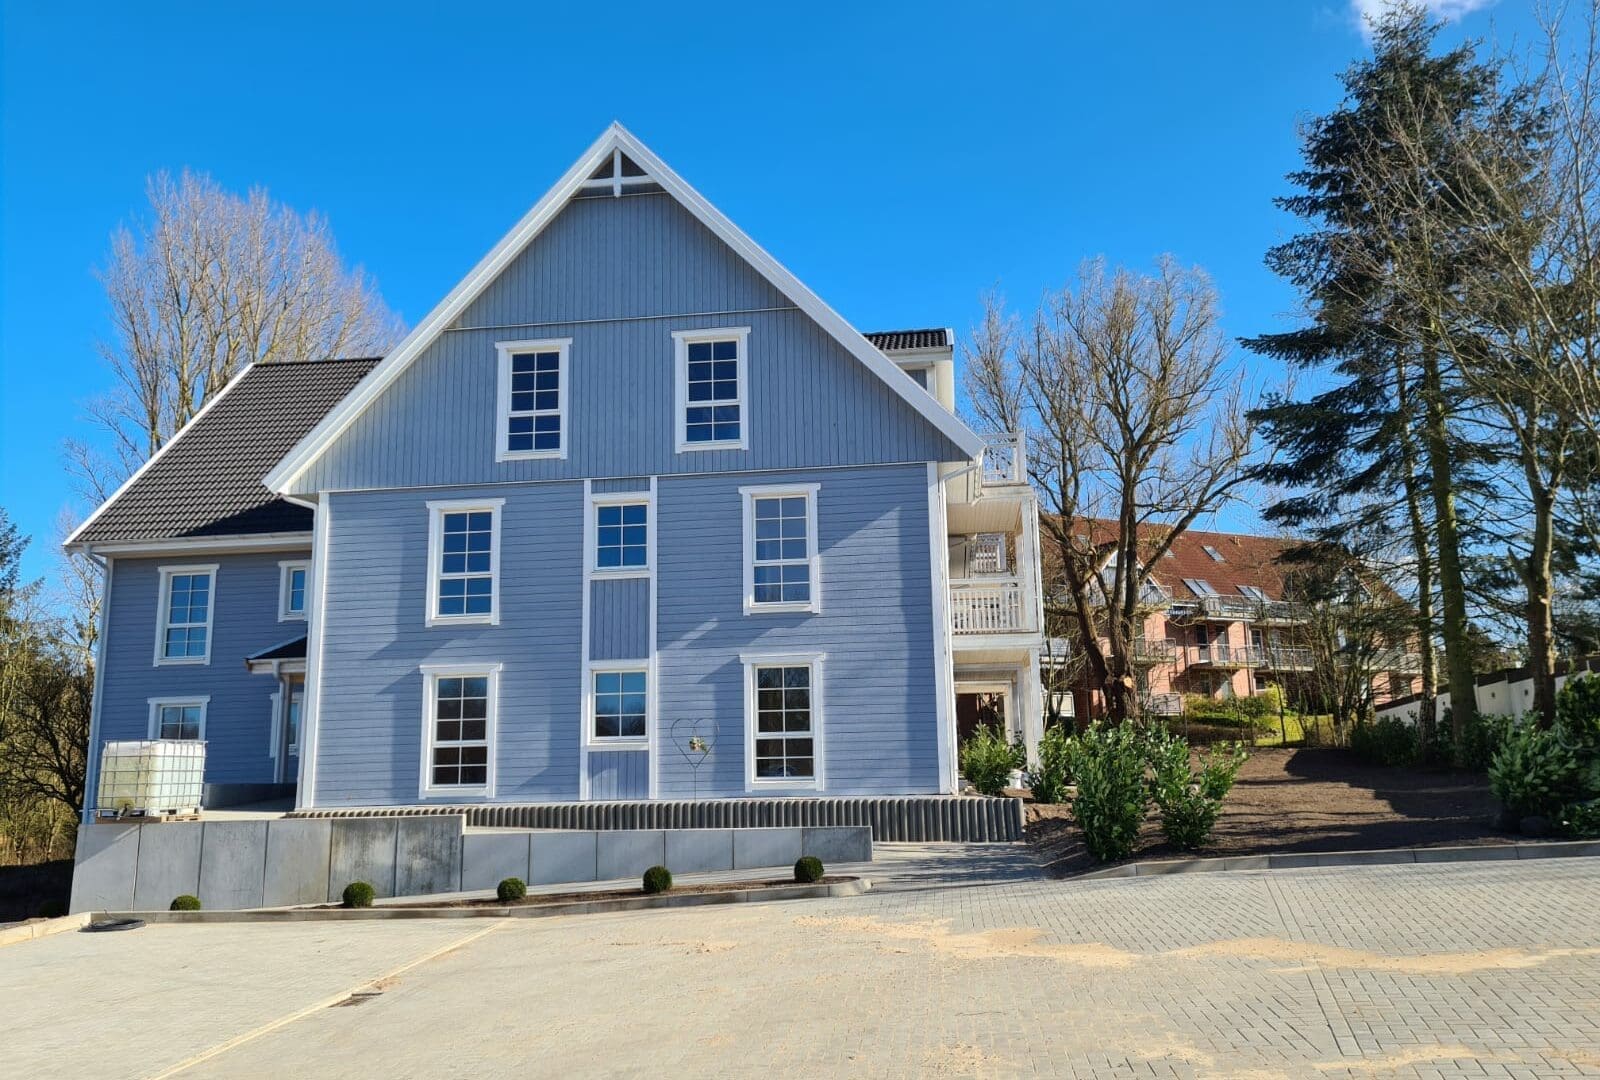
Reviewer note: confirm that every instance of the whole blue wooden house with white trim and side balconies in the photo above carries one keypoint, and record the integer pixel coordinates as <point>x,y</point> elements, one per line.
<point>631,514</point>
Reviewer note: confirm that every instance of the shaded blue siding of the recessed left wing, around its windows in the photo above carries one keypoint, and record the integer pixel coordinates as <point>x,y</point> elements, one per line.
<point>244,622</point>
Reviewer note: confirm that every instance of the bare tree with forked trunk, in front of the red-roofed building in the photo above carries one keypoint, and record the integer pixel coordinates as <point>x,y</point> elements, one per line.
<point>1137,420</point>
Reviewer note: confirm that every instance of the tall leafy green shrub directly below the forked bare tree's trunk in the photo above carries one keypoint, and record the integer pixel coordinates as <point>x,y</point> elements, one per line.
<point>1108,766</point>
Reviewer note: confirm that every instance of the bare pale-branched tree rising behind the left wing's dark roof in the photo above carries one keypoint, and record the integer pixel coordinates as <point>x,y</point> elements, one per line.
<point>204,286</point>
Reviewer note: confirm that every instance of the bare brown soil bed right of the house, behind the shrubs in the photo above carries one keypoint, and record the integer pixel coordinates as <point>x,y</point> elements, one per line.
<point>1305,801</point>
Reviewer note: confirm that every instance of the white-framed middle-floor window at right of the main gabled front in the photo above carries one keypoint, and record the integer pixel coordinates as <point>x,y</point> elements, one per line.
<point>780,550</point>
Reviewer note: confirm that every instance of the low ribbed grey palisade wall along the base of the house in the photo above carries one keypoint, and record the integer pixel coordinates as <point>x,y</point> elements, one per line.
<point>911,818</point>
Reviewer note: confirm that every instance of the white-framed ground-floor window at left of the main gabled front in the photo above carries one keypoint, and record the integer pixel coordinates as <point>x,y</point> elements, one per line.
<point>458,729</point>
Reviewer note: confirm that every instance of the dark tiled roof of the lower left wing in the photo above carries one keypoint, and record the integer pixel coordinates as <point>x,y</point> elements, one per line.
<point>206,481</point>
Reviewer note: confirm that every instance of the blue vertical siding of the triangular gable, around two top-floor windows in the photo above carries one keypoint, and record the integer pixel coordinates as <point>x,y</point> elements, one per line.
<point>642,270</point>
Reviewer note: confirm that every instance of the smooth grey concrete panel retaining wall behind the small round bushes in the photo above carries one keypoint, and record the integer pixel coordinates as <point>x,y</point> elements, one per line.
<point>284,862</point>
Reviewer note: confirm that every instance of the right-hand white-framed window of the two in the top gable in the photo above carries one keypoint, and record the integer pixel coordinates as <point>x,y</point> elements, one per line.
<point>711,390</point>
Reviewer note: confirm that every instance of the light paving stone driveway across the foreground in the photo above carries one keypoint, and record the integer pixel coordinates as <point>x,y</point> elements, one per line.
<point>1465,970</point>
